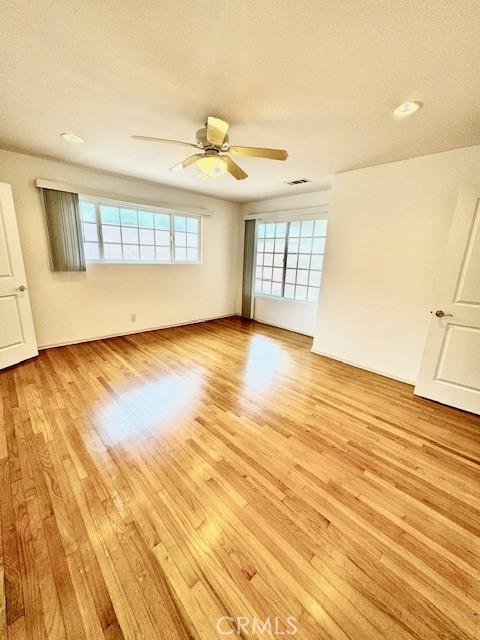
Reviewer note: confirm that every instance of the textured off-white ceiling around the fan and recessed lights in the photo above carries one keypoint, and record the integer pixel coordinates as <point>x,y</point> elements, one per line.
<point>318,78</point>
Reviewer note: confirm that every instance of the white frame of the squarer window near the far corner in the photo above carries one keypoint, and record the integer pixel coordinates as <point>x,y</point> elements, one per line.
<point>289,219</point>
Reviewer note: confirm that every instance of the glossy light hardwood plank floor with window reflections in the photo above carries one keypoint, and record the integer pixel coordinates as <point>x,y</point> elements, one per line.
<point>154,484</point>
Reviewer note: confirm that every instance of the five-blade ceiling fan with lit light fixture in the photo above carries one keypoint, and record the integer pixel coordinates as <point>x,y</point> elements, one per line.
<point>213,141</point>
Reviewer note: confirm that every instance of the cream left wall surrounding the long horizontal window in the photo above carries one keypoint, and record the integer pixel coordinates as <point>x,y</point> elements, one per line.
<point>77,306</point>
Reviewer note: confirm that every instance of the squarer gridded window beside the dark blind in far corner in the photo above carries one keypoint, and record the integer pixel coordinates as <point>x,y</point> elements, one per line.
<point>289,259</point>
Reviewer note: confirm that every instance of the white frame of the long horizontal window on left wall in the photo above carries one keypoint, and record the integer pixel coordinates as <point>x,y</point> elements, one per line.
<point>122,204</point>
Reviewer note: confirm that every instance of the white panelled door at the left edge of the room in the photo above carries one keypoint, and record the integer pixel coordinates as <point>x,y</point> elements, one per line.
<point>17,336</point>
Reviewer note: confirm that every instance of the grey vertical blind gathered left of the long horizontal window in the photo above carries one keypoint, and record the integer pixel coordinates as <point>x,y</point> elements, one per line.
<point>62,211</point>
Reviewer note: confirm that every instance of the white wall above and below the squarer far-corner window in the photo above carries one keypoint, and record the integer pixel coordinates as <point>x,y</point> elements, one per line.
<point>288,314</point>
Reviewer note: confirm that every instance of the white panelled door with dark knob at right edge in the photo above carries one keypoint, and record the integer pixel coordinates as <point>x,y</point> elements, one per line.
<point>450,370</point>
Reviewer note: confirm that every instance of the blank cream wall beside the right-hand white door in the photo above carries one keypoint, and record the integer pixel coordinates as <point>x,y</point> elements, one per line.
<point>387,231</point>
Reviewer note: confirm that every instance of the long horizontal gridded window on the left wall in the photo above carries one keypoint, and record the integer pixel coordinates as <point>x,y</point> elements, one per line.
<point>125,233</point>
